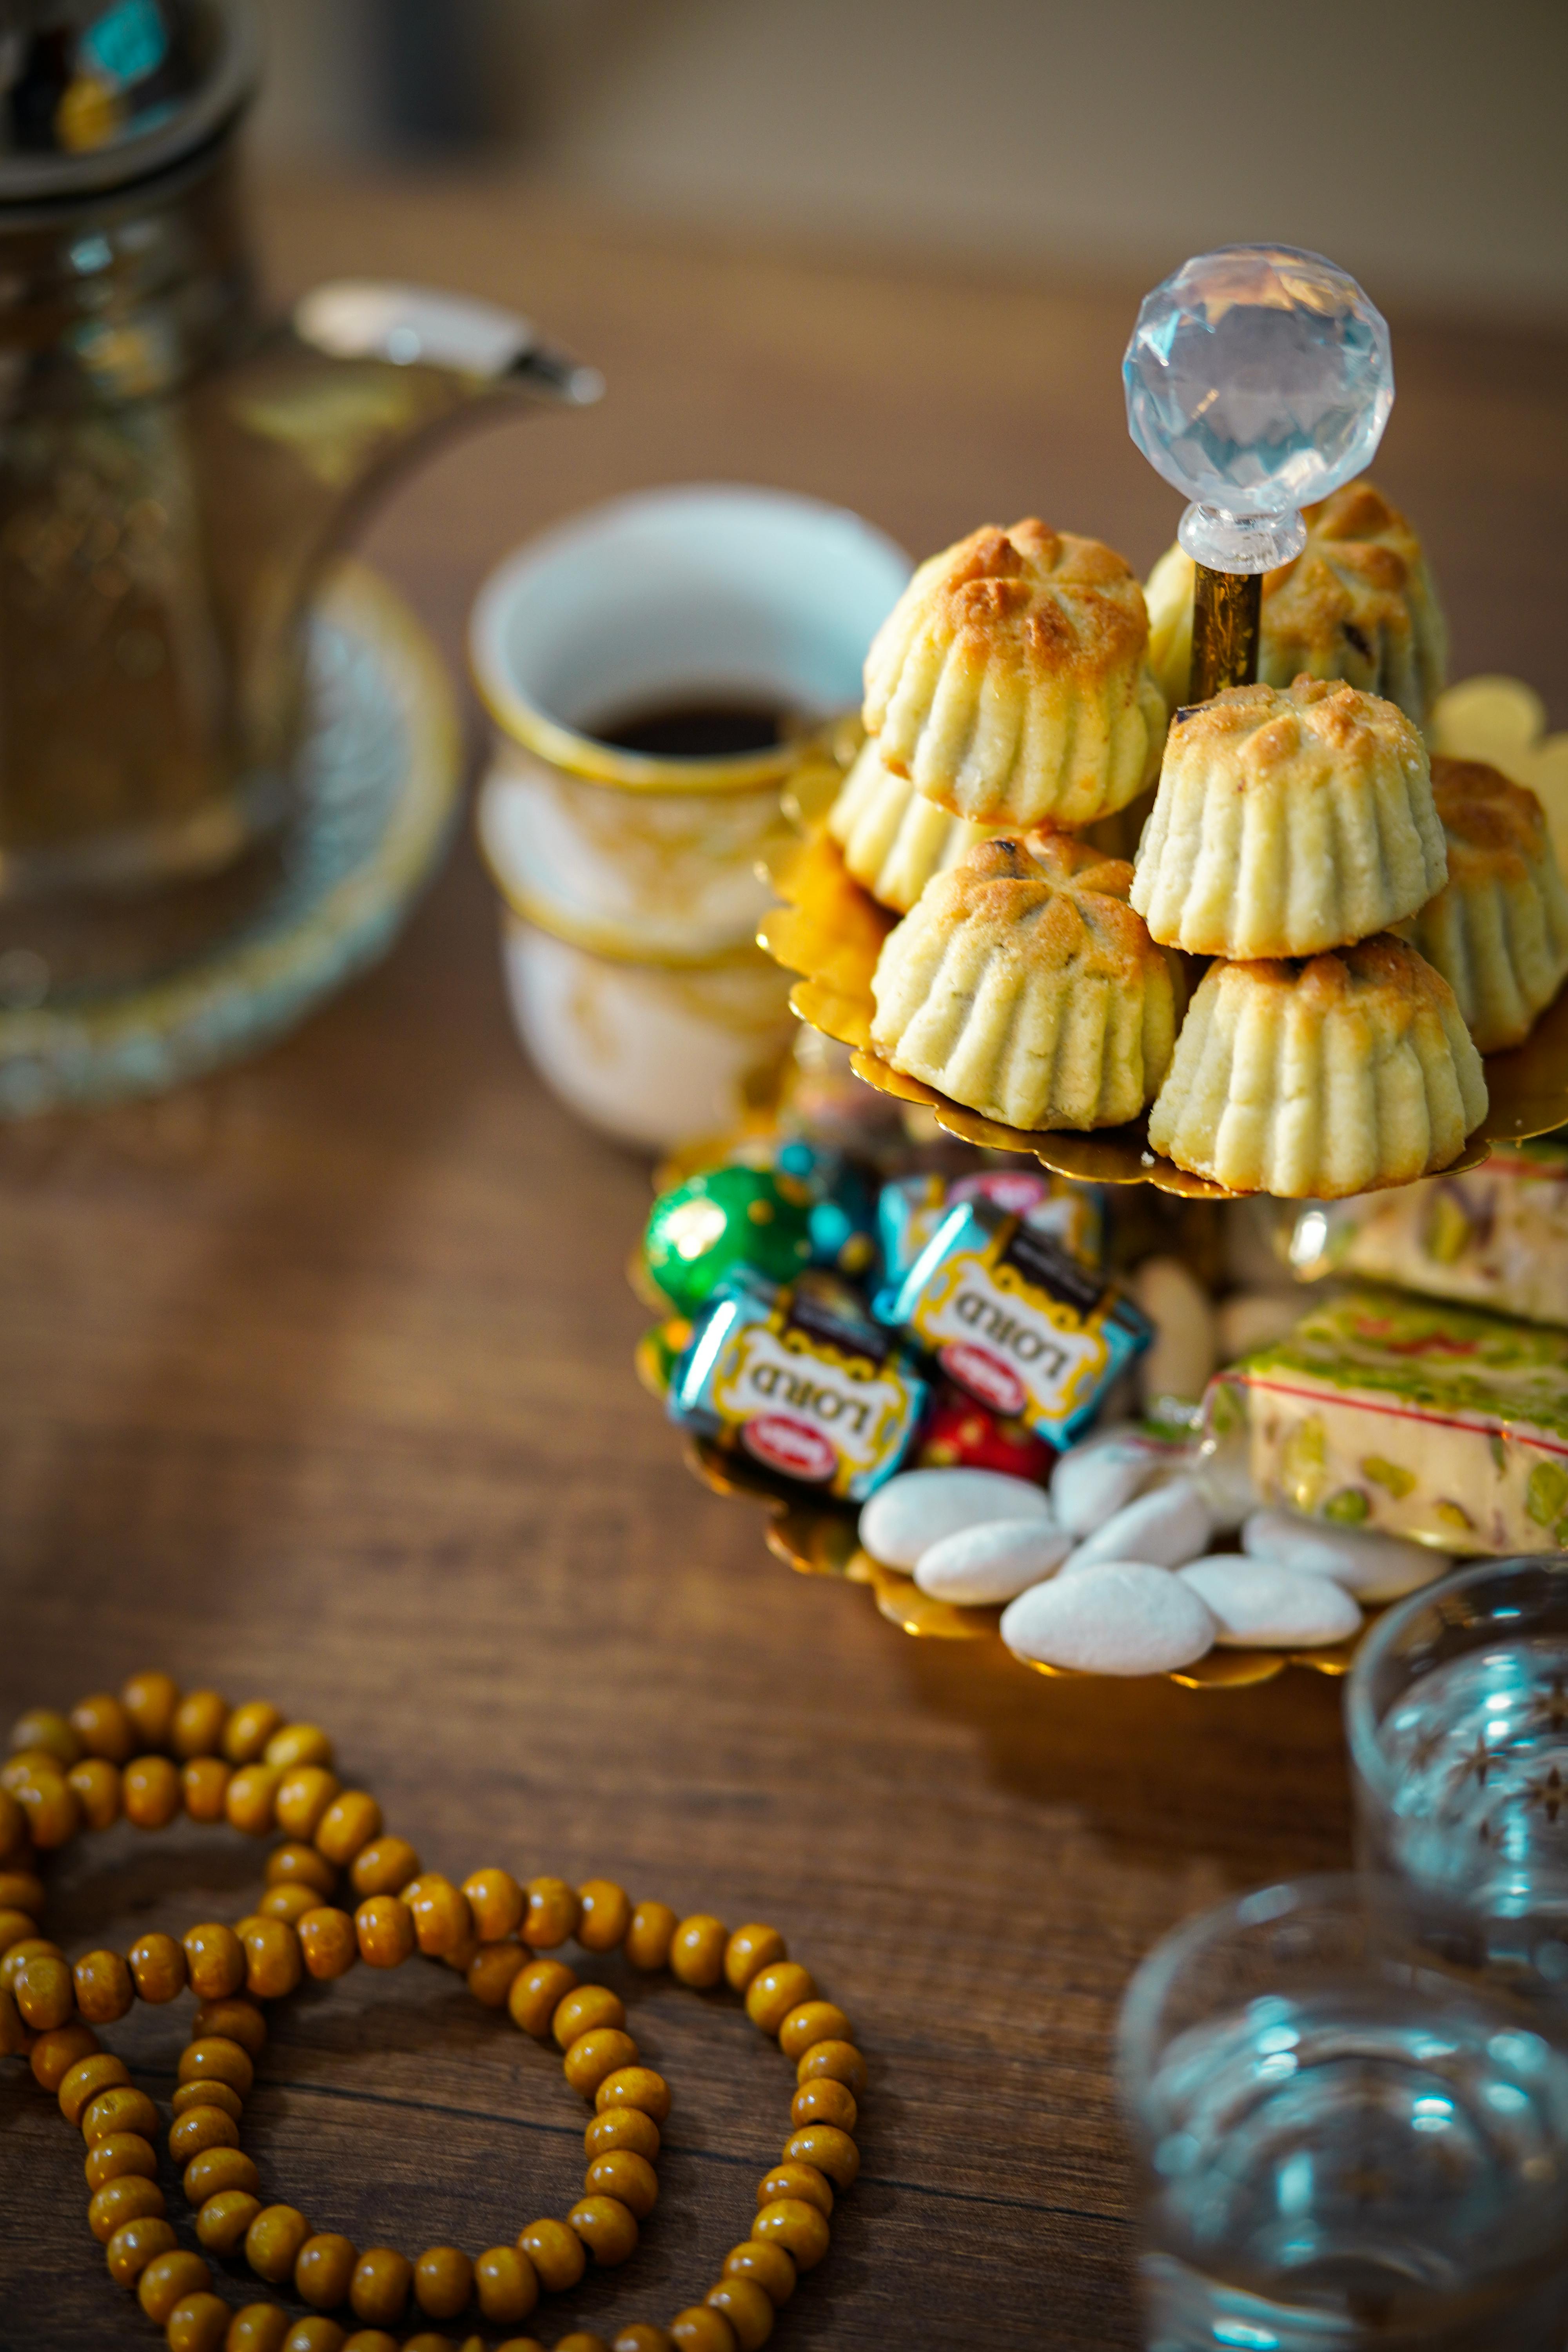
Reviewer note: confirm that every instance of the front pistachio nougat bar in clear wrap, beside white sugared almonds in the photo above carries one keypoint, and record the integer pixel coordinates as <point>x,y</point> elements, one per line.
<point>1412,1417</point>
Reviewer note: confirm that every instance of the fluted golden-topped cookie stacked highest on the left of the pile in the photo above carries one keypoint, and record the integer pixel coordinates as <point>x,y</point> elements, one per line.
<point>1012,681</point>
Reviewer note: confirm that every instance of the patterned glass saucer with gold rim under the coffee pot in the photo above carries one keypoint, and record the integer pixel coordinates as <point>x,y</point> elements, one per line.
<point>248,954</point>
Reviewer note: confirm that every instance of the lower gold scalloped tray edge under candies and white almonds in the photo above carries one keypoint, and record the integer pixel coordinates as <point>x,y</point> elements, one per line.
<point>819,1539</point>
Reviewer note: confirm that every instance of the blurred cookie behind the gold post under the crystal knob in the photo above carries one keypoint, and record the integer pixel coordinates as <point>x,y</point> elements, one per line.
<point>1358,603</point>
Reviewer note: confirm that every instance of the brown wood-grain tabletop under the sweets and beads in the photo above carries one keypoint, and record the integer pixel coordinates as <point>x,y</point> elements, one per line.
<point>316,1382</point>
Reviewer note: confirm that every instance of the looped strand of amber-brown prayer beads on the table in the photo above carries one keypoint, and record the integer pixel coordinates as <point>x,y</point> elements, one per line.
<point>154,1753</point>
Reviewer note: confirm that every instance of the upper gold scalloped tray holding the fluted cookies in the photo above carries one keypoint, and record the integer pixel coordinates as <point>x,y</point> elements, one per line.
<point>831,933</point>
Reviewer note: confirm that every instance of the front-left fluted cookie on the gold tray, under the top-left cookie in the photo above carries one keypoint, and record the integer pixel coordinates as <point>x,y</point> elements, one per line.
<point>1026,989</point>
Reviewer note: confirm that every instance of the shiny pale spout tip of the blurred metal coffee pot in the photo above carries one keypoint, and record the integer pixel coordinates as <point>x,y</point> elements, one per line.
<point>375,319</point>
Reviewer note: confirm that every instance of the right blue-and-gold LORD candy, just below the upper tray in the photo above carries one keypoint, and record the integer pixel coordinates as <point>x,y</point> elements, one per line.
<point>1017,1321</point>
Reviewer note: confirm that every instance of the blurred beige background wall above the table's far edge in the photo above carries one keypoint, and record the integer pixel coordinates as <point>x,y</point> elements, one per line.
<point>1419,142</point>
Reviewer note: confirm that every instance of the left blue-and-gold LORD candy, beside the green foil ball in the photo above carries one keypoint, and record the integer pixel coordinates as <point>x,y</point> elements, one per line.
<point>800,1379</point>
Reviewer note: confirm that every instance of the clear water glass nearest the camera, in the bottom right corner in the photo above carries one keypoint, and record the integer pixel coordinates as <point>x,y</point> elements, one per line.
<point>1351,2134</point>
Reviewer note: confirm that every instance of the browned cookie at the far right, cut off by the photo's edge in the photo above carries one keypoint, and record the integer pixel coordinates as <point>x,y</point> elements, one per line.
<point>1499,930</point>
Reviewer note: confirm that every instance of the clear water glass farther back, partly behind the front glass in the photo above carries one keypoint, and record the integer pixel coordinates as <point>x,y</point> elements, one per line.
<point>1459,1735</point>
